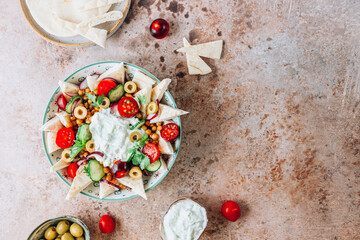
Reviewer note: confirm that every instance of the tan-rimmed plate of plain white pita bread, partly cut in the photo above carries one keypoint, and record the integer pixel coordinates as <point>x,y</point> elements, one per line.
<point>66,23</point>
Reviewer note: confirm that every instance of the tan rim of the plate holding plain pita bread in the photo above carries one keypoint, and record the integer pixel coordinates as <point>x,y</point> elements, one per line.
<point>110,32</point>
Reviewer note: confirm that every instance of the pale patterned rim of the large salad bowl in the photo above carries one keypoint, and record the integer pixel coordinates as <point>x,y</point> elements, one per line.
<point>175,153</point>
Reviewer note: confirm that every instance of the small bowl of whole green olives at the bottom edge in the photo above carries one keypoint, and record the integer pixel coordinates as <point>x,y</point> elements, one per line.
<point>61,228</point>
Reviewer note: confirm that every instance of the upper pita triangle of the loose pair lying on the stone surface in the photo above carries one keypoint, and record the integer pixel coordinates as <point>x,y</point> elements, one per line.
<point>209,50</point>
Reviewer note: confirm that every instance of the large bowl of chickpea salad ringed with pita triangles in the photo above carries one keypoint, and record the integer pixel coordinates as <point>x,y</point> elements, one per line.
<point>112,131</point>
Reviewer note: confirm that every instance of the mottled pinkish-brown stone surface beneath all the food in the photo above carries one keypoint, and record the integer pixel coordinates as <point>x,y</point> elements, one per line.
<point>275,127</point>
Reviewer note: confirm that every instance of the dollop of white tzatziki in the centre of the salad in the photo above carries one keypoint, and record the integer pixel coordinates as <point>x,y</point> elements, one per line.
<point>111,136</point>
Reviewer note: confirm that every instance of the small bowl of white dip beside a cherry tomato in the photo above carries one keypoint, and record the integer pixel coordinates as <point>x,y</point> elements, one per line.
<point>184,220</point>
